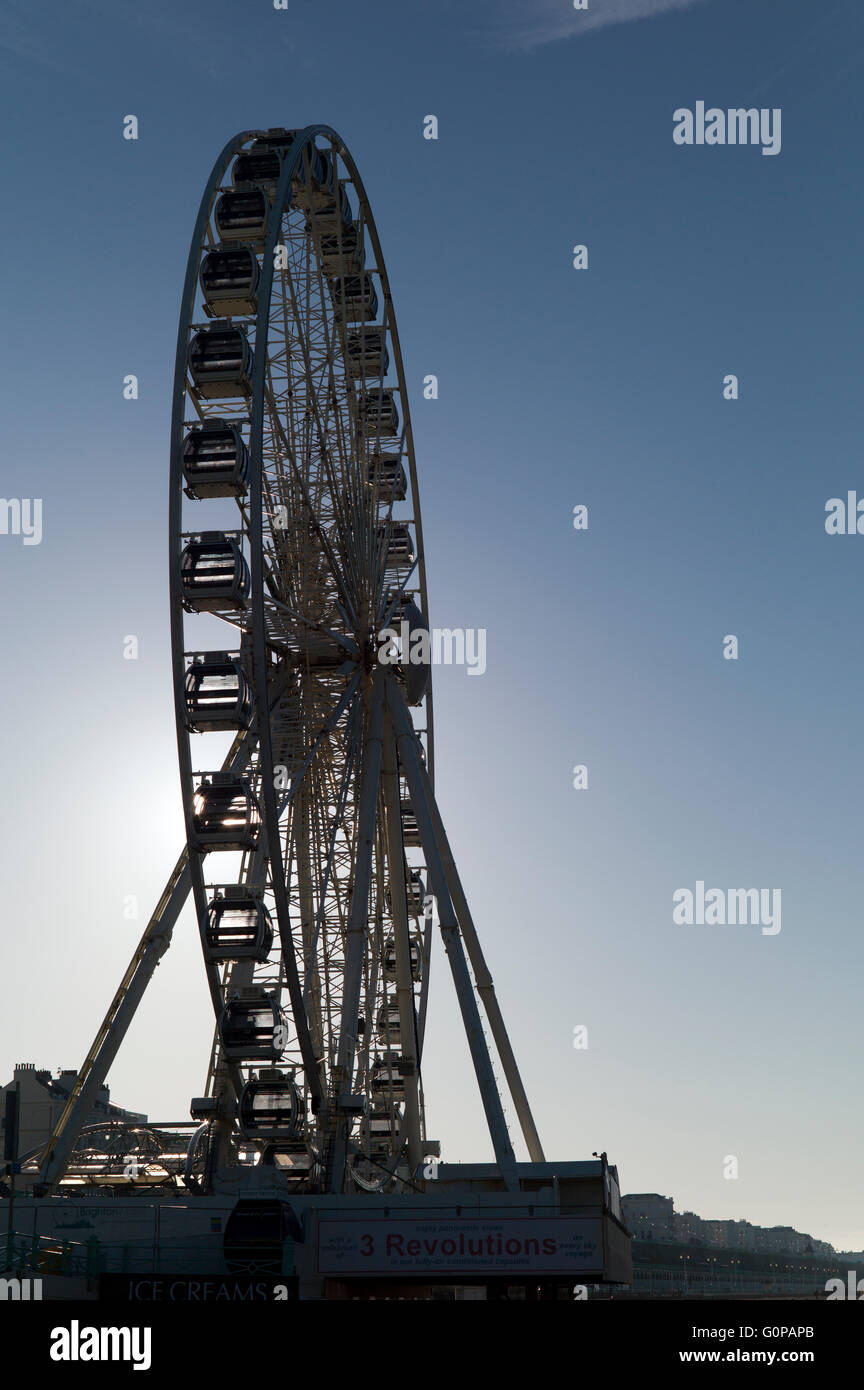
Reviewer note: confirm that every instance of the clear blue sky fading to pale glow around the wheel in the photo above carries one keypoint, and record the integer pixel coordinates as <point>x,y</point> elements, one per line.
<point>601,387</point>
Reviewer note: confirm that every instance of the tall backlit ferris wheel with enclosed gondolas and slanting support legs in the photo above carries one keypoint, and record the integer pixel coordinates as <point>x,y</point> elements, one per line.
<point>316,854</point>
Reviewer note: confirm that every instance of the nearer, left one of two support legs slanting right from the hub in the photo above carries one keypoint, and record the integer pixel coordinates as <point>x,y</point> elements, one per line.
<point>409,757</point>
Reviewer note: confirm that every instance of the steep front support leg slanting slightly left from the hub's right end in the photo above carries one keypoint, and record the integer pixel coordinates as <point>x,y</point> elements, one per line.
<point>358,929</point>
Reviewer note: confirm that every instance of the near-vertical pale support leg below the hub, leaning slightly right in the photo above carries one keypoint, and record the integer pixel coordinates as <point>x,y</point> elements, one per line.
<point>402,940</point>
